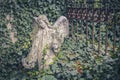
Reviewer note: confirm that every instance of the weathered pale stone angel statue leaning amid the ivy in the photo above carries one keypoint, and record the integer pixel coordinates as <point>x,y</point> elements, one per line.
<point>47,41</point>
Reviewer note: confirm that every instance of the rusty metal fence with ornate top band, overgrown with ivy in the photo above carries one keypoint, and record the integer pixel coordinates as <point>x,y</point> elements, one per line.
<point>88,17</point>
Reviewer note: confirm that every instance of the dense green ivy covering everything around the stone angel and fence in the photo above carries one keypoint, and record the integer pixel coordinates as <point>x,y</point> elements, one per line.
<point>75,61</point>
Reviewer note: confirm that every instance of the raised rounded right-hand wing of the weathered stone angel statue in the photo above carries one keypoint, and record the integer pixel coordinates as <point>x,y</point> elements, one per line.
<point>62,26</point>
